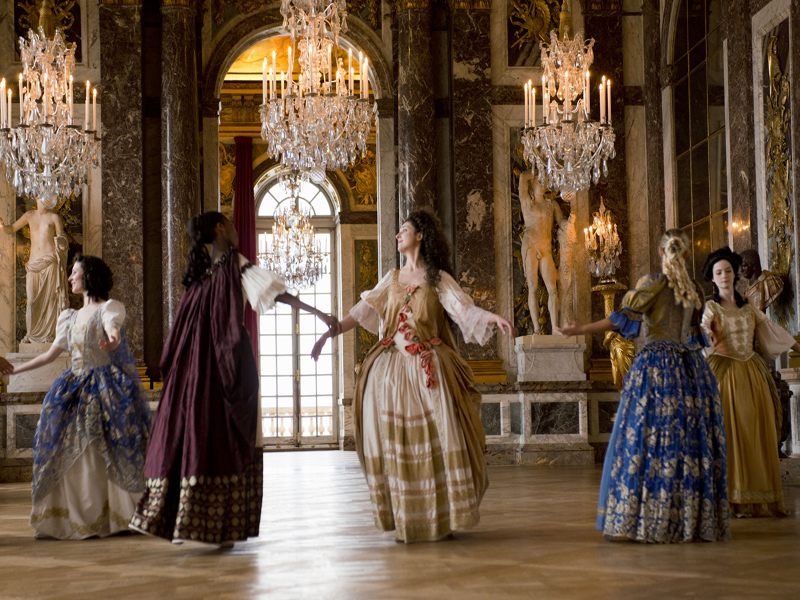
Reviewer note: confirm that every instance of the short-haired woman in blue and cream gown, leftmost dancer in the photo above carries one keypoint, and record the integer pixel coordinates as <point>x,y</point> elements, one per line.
<point>92,435</point>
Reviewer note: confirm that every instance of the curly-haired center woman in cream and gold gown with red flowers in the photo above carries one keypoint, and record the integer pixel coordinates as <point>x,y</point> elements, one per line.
<point>417,413</point>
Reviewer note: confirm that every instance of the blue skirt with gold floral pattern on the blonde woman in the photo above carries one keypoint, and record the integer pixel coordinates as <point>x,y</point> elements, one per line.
<point>664,477</point>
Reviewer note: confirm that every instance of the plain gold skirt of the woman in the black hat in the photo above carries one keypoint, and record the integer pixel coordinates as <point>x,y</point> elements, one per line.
<point>749,401</point>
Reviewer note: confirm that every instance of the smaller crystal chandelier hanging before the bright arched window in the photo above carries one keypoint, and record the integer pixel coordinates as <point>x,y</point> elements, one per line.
<point>294,252</point>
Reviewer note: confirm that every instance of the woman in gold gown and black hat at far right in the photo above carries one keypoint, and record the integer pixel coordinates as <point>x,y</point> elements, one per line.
<point>750,401</point>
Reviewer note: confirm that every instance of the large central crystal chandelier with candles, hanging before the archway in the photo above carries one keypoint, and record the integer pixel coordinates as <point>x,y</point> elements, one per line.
<point>319,121</point>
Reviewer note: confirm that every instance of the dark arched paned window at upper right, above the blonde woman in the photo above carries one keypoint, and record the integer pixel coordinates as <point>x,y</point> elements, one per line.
<point>698,109</point>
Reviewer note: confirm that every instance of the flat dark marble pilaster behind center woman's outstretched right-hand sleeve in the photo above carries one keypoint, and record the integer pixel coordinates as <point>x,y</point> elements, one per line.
<point>472,160</point>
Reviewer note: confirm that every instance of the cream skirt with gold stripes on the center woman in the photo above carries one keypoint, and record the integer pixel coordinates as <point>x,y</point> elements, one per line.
<point>416,457</point>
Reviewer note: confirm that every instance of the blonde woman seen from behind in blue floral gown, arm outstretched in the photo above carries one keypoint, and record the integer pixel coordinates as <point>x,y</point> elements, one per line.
<point>664,477</point>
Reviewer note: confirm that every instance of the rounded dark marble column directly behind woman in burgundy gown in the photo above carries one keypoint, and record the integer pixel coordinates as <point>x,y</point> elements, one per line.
<point>180,194</point>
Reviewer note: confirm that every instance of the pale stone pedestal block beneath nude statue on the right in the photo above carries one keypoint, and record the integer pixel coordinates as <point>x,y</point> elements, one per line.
<point>550,358</point>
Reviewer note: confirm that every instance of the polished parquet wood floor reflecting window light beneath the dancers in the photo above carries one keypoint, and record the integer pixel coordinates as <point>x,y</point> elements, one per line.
<point>536,540</point>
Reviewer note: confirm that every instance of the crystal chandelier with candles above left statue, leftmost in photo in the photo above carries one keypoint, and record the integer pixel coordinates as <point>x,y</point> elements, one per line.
<point>46,155</point>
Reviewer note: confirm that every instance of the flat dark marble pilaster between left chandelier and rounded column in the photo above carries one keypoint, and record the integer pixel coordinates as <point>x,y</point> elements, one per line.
<point>122,180</point>
